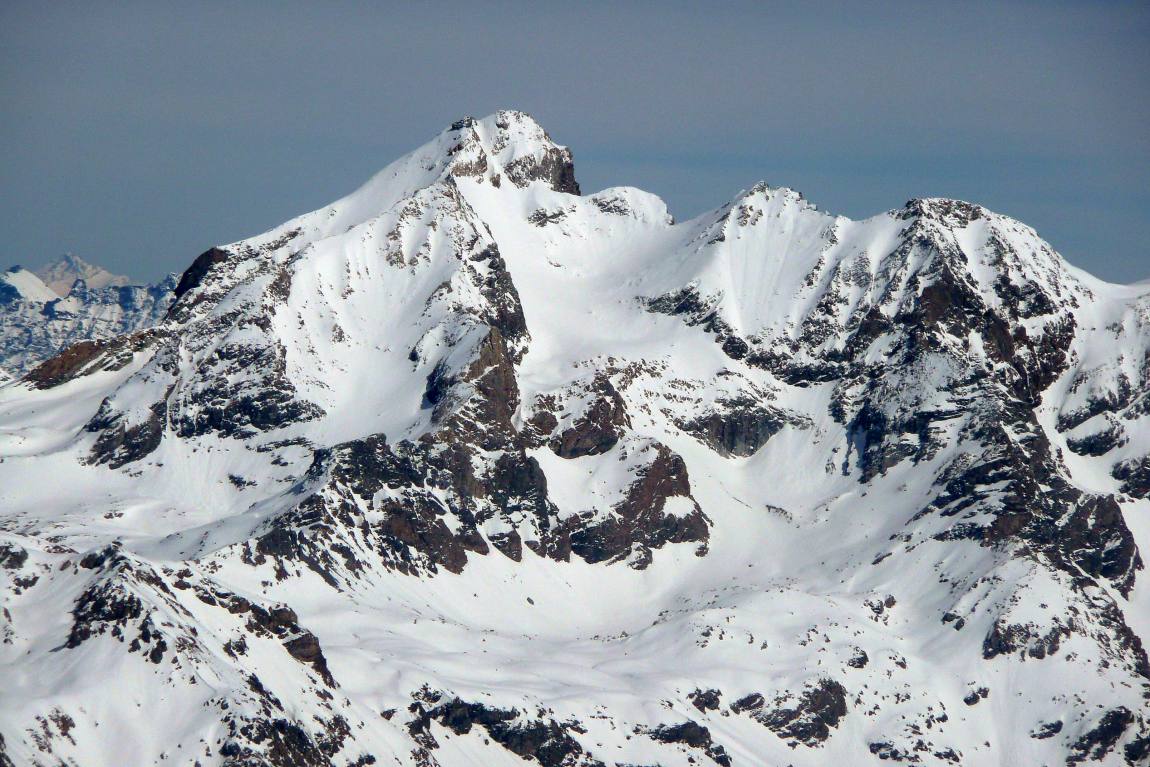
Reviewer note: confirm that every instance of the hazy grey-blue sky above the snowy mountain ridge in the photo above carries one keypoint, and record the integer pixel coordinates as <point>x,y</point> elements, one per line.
<point>139,135</point>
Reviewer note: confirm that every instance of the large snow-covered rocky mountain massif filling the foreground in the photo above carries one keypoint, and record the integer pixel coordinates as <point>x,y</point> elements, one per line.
<point>470,469</point>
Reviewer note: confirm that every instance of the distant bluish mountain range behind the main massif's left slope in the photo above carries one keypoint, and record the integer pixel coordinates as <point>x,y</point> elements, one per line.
<point>37,323</point>
